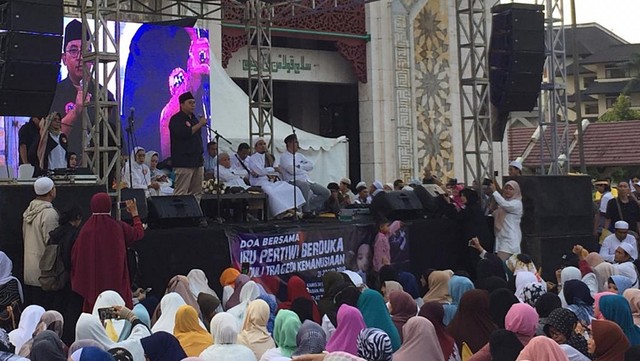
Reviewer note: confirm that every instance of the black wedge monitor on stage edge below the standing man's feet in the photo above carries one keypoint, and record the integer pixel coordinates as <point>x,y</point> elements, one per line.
<point>174,211</point>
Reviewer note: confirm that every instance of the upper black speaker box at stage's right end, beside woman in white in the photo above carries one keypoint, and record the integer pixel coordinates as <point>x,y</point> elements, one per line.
<point>556,206</point>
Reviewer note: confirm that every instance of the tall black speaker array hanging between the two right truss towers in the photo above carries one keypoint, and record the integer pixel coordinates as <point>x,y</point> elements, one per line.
<point>516,59</point>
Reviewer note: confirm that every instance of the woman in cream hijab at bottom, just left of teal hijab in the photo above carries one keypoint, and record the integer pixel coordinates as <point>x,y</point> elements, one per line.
<point>254,332</point>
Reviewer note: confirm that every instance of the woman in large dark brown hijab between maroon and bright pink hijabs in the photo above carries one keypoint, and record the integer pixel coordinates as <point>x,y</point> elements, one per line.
<point>472,325</point>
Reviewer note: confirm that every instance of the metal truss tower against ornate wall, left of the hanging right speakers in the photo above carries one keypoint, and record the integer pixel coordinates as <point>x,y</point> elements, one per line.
<point>475,105</point>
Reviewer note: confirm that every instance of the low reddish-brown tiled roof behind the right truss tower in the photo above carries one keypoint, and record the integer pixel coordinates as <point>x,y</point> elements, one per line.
<point>605,144</point>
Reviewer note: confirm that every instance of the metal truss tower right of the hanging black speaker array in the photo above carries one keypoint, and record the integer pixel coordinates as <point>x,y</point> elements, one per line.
<point>553,125</point>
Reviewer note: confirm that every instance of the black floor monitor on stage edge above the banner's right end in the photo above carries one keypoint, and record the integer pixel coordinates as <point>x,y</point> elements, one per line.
<point>396,205</point>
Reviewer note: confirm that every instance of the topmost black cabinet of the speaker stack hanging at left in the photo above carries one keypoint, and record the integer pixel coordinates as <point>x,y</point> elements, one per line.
<point>38,16</point>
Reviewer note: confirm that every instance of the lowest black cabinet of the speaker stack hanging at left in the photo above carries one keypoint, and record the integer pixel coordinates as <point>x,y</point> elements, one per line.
<point>25,103</point>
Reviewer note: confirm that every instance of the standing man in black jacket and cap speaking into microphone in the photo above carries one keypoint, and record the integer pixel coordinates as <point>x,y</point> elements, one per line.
<point>186,147</point>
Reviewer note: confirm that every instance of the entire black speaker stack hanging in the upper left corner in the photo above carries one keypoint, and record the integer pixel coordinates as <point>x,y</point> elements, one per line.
<point>30,50</point>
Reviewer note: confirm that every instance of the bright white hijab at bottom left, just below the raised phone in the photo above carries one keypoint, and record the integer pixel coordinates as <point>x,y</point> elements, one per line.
<point>89,327</point>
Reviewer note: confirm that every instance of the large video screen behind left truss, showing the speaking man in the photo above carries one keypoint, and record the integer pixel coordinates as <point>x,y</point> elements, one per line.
<point>157,64</point>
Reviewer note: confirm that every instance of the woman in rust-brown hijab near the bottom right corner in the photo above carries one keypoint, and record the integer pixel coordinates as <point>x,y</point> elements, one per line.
<point>608,342</point>
